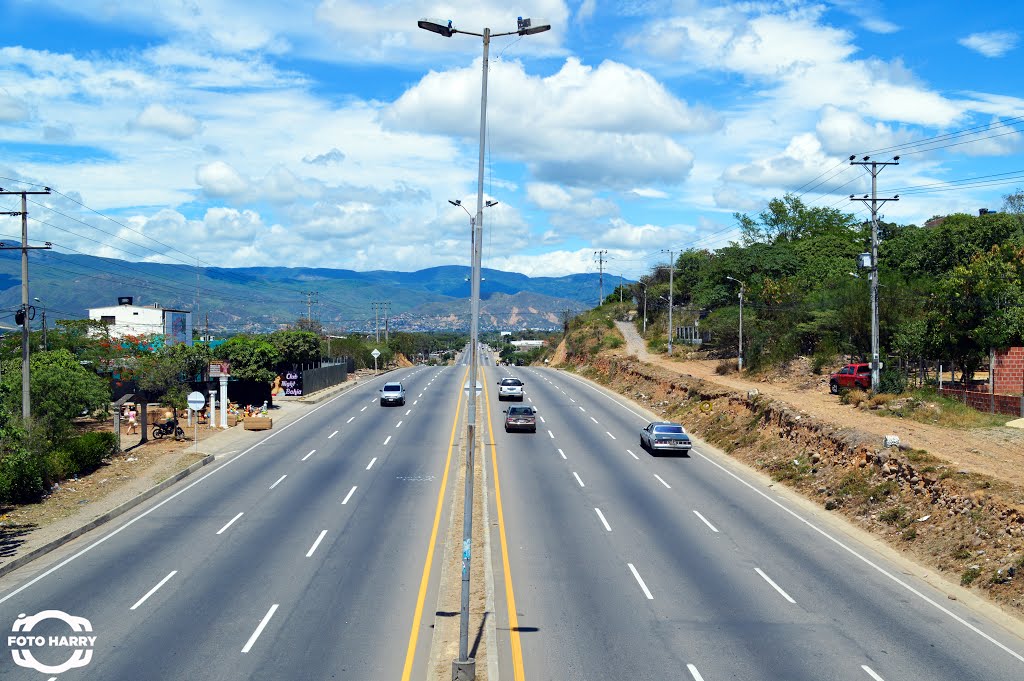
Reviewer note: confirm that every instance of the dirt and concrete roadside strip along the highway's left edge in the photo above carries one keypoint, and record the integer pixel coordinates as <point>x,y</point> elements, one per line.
<point>80,504</point>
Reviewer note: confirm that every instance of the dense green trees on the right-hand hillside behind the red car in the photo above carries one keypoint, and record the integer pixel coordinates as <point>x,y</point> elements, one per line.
<point>951,290</point>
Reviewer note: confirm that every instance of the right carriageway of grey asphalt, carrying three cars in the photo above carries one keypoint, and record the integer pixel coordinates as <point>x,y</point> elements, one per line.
<point>739,587</point>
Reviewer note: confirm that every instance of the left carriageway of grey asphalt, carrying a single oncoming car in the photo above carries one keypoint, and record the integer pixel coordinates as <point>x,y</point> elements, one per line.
<point>321,532</point>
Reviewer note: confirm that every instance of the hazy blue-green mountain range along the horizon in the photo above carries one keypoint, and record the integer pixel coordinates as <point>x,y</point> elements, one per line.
<point>266,299</point>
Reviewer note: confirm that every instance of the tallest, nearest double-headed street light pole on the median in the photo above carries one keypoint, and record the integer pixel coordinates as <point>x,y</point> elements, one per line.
<point>464,669</point>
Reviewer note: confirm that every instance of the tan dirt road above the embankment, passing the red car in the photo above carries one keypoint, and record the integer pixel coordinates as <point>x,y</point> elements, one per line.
<point>996,452</point>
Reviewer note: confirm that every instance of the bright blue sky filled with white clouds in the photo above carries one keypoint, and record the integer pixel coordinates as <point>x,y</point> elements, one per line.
<point>332,134</point>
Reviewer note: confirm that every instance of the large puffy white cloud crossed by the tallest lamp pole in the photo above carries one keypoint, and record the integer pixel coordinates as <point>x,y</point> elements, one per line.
<point>611,125</point>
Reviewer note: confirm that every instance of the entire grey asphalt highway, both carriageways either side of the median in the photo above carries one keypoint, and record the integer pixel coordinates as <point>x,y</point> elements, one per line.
<point>314,555</point>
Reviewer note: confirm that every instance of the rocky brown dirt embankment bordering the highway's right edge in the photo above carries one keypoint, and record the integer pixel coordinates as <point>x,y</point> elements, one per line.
<point>963,524</point>
